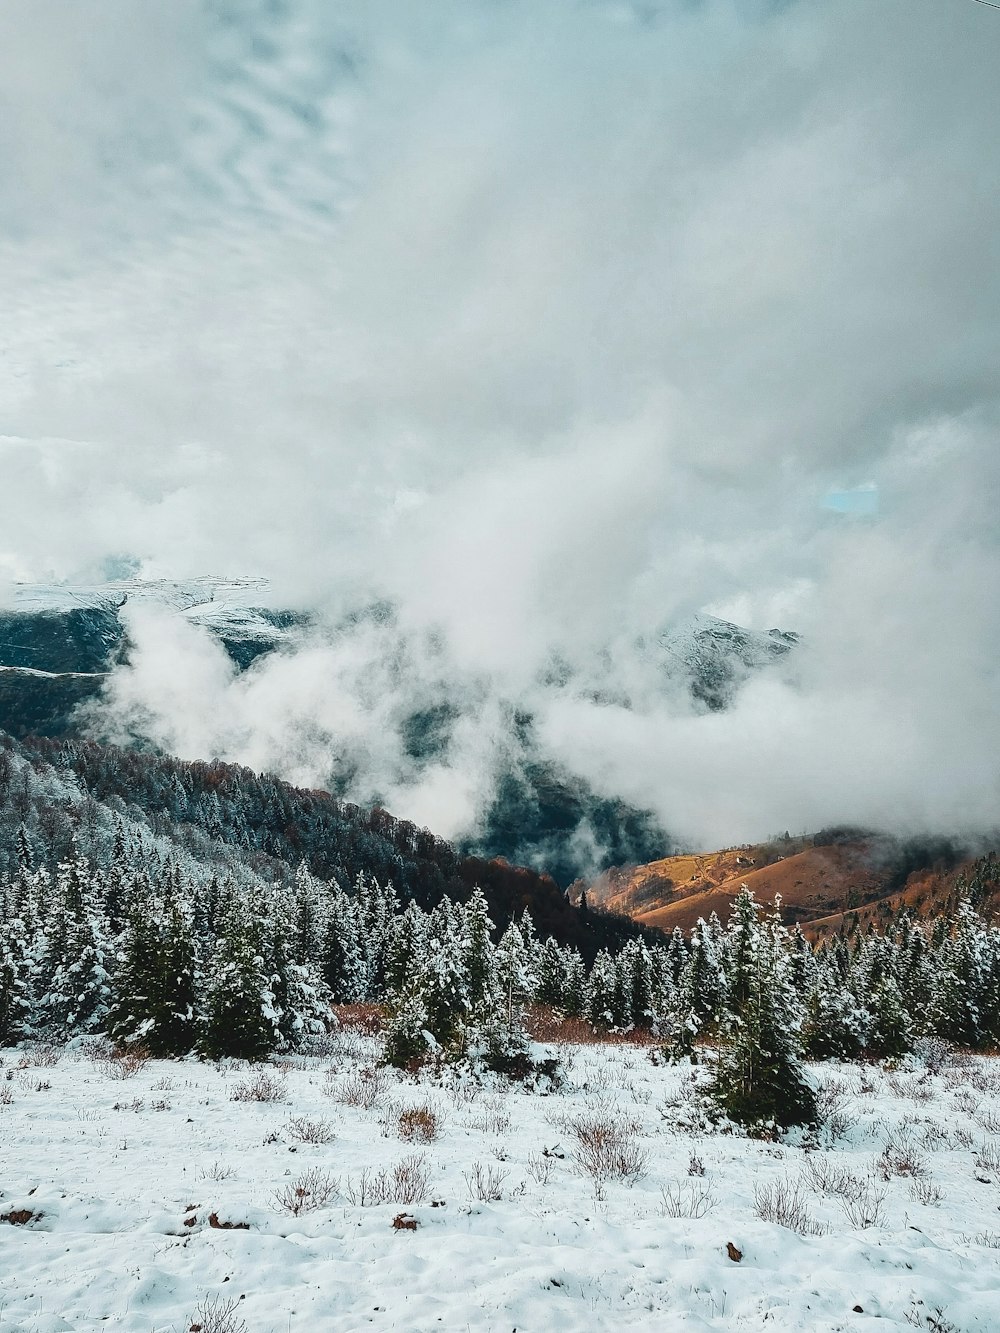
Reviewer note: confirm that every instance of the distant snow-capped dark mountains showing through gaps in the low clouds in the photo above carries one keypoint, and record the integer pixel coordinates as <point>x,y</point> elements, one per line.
<point>59,643</point>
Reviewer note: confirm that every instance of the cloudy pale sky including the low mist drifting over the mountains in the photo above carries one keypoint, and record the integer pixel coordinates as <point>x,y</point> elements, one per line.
<point>550,326</point>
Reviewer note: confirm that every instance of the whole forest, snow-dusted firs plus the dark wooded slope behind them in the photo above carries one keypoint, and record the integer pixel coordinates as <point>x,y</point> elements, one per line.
<point>205,908</point>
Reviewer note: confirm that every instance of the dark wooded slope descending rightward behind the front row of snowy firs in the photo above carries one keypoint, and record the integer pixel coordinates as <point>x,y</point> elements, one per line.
<point>235,823</point>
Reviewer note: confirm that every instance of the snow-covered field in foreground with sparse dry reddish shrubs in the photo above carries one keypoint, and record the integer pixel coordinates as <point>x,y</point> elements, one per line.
<point>155,1200</point>
